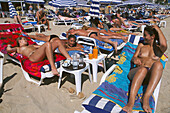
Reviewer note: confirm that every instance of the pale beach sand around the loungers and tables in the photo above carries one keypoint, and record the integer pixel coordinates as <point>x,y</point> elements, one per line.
<point>20,96</point>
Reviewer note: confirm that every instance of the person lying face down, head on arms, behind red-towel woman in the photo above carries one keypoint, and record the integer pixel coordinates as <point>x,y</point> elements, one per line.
<point>69,44</point>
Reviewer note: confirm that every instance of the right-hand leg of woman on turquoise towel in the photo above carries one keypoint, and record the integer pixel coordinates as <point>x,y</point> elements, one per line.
<point>156,74</point>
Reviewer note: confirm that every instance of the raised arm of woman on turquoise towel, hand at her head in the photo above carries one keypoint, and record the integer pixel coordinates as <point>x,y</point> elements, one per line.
<point>162,39</point>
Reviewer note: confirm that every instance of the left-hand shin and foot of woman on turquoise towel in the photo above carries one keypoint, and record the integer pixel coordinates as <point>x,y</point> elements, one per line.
<point>136,83</point>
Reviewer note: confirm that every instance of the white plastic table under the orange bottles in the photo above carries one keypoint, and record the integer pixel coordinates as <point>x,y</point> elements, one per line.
<point>94,63</point>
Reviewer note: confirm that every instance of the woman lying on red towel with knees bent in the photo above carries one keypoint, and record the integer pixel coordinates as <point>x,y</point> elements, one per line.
<point>37,53</point>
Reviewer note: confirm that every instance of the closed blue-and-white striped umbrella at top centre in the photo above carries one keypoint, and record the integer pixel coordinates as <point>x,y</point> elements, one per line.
<point>94,8</point>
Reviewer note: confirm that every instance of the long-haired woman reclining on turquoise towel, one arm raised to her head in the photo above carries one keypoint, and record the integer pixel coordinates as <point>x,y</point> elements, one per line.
<point>149,68</point>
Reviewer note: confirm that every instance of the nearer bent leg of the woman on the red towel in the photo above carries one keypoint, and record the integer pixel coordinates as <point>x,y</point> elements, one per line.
<point>41,52</point>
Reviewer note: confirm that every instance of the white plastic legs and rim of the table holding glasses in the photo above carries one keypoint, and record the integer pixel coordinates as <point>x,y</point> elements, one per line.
<point>77,74</point>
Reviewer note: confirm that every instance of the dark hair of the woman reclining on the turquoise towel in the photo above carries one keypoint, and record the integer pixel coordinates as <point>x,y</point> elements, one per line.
<point>152,31</point>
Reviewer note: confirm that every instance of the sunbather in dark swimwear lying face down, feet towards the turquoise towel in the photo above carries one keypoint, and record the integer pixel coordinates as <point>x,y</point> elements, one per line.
<point>95,35</point>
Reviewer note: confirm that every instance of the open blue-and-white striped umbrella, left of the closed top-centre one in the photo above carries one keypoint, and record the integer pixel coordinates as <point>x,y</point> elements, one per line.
<point>63,3</point>
